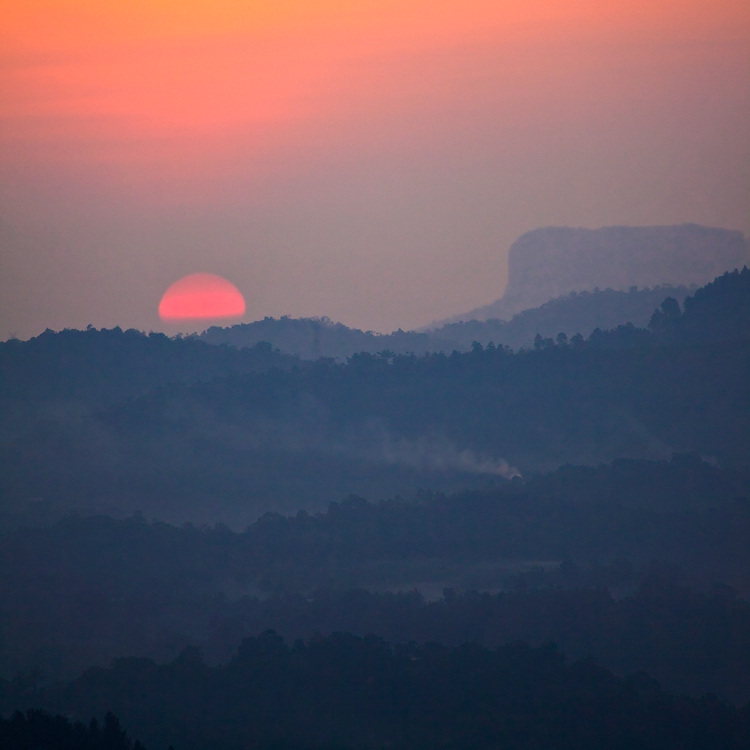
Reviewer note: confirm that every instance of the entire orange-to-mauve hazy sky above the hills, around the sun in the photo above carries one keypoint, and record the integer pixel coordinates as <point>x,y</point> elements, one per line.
<point>367,160</point>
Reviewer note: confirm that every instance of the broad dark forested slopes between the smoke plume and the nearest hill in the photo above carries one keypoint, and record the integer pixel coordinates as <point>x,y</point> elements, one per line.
<point>598,560</point>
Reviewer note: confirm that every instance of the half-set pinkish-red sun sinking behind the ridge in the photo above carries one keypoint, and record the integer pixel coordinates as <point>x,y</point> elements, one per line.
<point>201,296</point>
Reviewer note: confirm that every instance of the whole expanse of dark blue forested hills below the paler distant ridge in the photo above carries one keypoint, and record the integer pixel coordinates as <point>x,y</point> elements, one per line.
<point>587,492</point>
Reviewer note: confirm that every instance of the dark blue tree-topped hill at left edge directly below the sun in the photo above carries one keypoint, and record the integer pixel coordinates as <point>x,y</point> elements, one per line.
<point>71,373</point>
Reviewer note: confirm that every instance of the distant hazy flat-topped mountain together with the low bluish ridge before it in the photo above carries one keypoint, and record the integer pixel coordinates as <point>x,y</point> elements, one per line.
<point>561,280</point>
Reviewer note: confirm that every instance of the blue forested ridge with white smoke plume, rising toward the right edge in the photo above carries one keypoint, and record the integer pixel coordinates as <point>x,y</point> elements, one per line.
<point>229,449</point>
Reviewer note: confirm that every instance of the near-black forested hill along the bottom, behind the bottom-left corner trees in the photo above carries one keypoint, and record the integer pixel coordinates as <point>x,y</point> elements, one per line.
<point>345,692</point>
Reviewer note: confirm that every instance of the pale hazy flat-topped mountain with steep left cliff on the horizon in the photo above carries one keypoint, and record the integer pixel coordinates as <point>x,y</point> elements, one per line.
<point>554,261</point>
